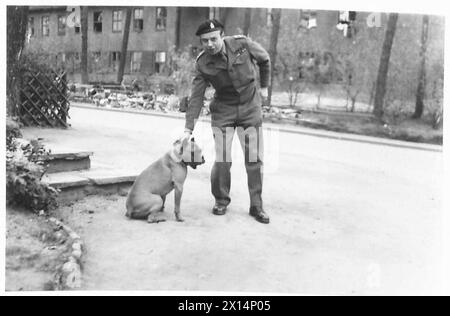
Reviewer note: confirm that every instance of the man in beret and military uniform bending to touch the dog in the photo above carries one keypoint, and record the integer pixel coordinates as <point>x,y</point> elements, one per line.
<point>228,64</point>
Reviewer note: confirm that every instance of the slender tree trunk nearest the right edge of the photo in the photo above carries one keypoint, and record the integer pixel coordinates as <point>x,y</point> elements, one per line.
<point>422,69</point>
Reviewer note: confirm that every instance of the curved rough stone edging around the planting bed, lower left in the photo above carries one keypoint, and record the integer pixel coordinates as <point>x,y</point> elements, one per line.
<point>70,276</point>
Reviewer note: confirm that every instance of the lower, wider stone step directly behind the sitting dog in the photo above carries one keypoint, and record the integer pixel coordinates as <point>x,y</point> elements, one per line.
<point>74,185</point>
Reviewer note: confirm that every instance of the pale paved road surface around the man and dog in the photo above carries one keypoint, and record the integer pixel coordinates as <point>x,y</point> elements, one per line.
<point>347,217</point>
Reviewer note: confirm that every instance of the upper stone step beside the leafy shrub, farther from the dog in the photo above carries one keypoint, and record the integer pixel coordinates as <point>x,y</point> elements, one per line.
<point>64,160</point>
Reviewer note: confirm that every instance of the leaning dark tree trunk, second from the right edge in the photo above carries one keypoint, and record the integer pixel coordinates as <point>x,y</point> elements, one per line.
<point>380,91</point>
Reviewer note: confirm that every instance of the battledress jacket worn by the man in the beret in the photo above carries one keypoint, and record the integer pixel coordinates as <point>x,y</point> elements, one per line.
<point>233,76</point>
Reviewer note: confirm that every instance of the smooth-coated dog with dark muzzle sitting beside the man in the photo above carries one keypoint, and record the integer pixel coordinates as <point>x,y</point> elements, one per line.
<point>147,196</point>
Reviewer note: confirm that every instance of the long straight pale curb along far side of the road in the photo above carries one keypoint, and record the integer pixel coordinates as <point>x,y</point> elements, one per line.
<point>324,134</point>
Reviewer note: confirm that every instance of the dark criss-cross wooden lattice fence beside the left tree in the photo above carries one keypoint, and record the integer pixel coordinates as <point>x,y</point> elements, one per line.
<point>44,99</point>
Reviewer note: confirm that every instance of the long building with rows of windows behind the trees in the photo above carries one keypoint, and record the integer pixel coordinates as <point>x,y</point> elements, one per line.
<point>309,38</point>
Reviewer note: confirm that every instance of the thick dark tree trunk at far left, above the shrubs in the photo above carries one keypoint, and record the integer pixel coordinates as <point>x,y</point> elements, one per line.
<point>17,24</point>
